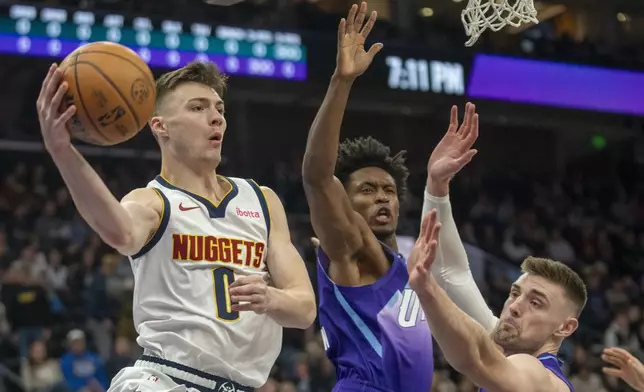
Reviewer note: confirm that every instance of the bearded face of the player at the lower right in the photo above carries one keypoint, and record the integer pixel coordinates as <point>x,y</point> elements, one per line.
<point>536,312</point>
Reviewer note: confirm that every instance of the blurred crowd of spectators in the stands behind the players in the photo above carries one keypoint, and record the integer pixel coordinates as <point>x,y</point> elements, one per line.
<point>66,320</point>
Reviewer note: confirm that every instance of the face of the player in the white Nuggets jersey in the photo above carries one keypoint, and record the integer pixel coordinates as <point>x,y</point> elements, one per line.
<point>193,122</point>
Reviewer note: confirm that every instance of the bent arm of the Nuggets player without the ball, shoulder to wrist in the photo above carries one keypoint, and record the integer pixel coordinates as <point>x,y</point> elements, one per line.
<point>291,301</point>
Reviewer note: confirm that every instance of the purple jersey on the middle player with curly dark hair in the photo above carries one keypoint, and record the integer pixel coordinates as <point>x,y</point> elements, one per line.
<point>376,335</point>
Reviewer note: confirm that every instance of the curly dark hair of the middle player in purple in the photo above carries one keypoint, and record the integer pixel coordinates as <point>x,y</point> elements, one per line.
<point>368,152</point>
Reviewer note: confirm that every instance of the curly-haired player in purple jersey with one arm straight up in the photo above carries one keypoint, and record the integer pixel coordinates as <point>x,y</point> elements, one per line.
<point>372,328</point>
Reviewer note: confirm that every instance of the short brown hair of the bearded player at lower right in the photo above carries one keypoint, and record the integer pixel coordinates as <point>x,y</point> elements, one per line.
<point>561,275</point>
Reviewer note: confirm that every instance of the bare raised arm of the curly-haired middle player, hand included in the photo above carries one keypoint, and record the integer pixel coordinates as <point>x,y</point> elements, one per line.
<point>332,217</point>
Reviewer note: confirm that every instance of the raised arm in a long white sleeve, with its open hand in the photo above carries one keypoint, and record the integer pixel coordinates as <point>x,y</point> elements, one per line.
<point>451,267</point>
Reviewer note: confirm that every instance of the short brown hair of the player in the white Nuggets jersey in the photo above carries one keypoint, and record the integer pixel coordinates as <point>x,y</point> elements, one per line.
<point>205,73</point>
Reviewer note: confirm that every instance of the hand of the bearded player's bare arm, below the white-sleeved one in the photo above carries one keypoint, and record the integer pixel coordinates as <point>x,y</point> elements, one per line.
<point>423,253</point>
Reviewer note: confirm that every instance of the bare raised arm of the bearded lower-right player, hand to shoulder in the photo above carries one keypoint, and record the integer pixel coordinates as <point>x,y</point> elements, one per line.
<point>464,343</point>
